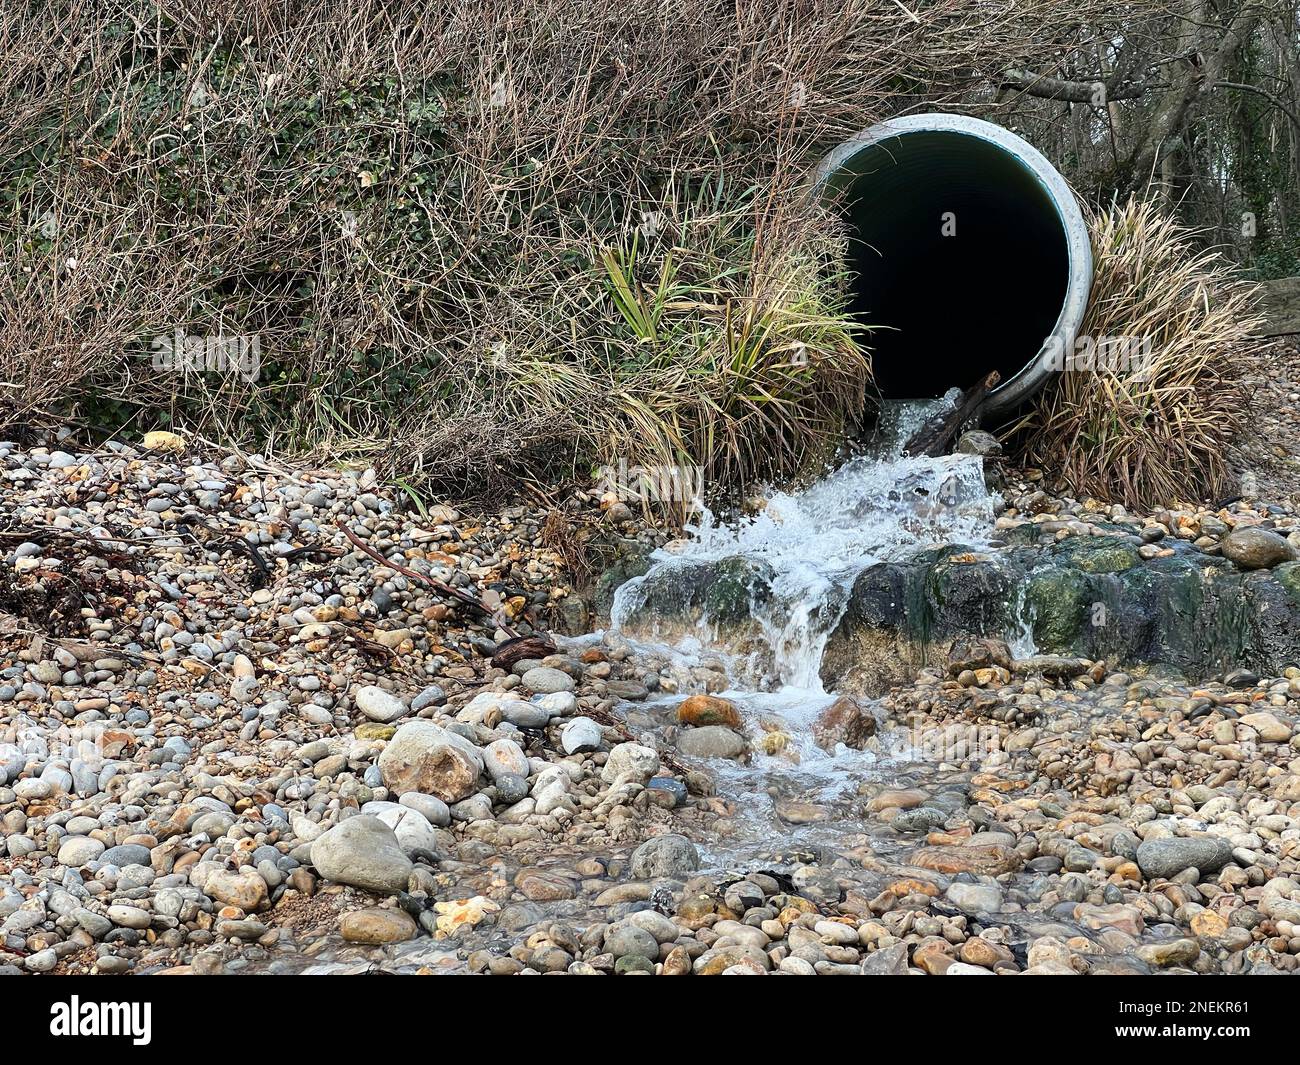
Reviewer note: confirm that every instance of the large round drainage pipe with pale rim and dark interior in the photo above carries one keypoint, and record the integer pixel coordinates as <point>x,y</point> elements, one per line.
<point>968,253</point>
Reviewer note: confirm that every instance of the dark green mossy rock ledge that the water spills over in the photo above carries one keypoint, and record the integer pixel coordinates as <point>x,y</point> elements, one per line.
<point>1189,613</point>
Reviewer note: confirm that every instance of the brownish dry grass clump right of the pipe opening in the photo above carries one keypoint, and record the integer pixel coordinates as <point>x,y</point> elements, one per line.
<point>1155,428</point>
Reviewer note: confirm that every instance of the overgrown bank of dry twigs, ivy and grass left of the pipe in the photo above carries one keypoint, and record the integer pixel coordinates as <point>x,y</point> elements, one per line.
<point>426,214</point>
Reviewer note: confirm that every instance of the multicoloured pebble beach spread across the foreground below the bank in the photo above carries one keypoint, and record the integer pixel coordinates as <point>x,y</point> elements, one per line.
<point>272,721</point>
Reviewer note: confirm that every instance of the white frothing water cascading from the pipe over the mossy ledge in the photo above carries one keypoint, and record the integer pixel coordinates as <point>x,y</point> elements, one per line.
<point>813,544</point>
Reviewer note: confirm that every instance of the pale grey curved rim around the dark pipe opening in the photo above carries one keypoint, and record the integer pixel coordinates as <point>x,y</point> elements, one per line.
<point>1035,373</point>
